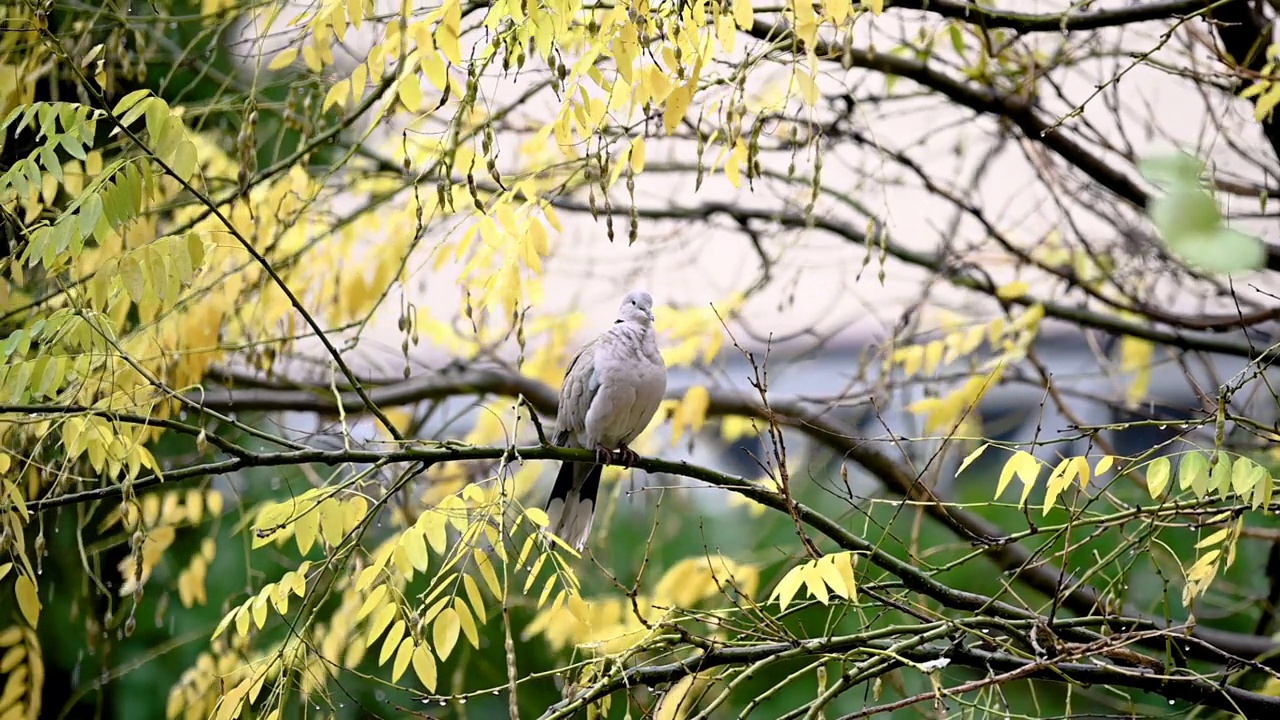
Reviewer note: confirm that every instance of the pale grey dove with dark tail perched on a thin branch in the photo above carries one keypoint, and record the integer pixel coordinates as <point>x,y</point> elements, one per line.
<point>611,391</point>
